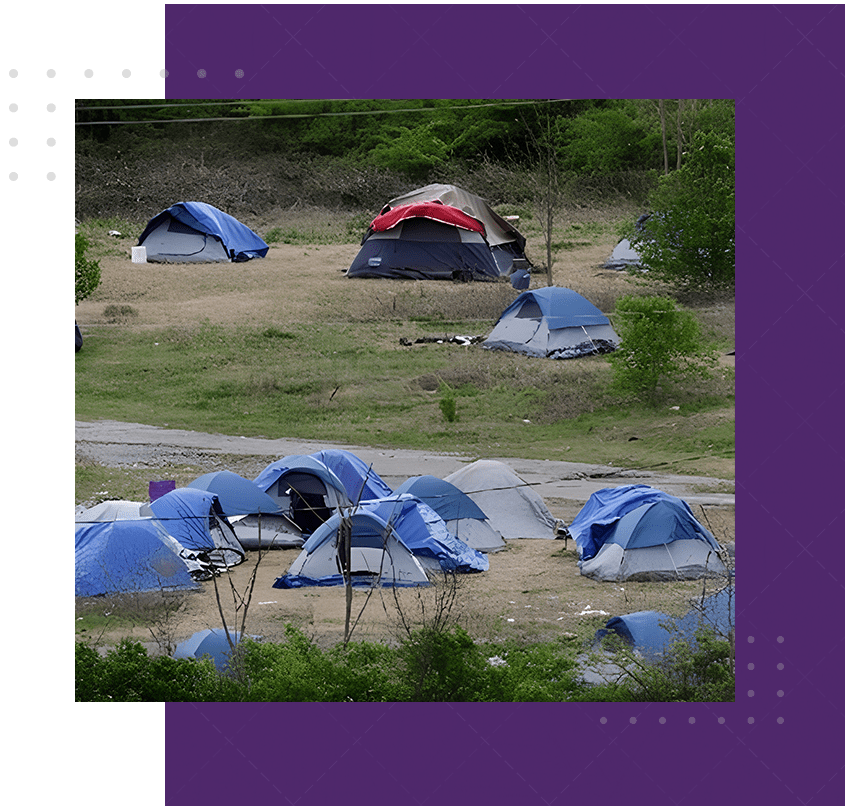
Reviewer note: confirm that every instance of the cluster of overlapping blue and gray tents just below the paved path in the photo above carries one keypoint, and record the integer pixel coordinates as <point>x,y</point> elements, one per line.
<point>392,536</point>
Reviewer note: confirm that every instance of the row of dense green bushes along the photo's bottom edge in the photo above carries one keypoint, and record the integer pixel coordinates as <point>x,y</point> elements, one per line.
<point>429,665</point>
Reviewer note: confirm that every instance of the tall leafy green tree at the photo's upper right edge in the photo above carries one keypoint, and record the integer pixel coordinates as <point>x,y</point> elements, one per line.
<point>690,238</point>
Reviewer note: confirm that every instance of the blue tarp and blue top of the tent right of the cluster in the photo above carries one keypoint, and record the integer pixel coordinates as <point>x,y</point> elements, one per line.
<point>601,520</point>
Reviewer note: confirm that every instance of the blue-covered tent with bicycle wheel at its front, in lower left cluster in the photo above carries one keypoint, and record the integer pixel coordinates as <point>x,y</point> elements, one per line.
<point>195,519</point>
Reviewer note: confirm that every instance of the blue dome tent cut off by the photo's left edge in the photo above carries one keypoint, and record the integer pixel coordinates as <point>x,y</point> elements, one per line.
<point>126,556</point>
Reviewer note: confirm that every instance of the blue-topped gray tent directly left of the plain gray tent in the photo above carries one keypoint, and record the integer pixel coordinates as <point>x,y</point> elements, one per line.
<point>461,515</point>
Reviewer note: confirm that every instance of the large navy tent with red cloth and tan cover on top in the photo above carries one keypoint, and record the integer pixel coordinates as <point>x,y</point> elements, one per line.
<point>439,232</point>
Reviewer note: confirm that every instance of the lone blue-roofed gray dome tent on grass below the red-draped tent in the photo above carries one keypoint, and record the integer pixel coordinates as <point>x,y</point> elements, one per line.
<point>552,322</point>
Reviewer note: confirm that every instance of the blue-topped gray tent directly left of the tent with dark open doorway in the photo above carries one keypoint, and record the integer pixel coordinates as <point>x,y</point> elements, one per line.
<point>257,520</point>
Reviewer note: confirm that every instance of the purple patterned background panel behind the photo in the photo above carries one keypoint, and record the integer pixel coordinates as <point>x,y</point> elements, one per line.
<point>782,741</point>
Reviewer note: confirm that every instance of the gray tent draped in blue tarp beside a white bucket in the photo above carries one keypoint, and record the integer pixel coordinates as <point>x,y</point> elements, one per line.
<point>198,232</point>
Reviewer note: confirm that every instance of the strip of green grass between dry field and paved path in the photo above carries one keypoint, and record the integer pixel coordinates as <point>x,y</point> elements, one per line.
<point>355,383</point>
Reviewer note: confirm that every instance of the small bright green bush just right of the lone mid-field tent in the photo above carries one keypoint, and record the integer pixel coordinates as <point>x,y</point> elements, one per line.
<point>659,342</point>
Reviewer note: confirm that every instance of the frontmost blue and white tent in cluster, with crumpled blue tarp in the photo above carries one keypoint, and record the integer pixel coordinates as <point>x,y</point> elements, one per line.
<point>395,541</point>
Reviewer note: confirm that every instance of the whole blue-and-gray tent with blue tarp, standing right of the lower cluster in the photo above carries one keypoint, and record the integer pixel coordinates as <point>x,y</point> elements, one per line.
<point>642,534</point>
